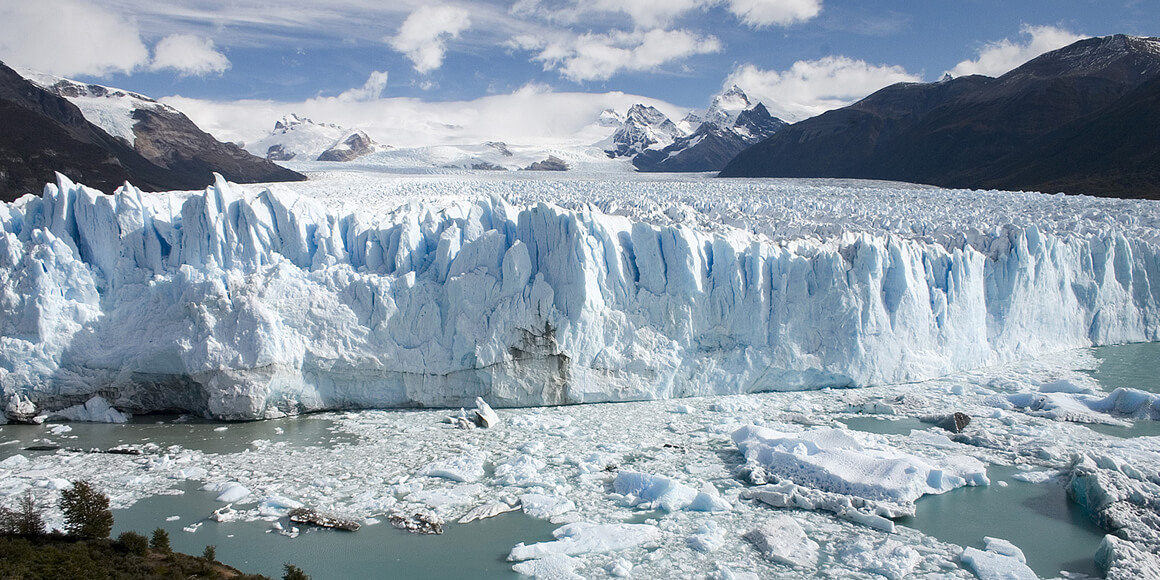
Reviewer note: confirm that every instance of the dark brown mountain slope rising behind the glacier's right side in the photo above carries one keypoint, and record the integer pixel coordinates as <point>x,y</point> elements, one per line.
<point>1079,120</point>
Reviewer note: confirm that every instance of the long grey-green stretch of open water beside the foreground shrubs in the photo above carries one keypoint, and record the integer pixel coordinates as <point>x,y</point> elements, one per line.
<point>476,550</point>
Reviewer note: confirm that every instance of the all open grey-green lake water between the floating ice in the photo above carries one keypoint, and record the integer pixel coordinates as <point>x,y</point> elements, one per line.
<point>1053,532</point>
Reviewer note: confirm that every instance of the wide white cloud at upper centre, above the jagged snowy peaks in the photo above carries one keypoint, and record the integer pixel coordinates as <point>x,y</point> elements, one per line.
<point>601,56</point>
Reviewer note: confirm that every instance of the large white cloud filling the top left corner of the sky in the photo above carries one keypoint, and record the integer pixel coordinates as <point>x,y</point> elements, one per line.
<point>69,38</point>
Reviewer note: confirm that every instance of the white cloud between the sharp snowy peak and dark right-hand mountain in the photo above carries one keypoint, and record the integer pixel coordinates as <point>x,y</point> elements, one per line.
<point>813,88</point>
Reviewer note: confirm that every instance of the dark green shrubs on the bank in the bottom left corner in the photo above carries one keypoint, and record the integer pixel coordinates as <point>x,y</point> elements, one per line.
<point>30,553</point>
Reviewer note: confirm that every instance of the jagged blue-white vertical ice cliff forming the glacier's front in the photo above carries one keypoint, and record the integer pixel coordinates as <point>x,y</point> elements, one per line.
<point>238,307</point>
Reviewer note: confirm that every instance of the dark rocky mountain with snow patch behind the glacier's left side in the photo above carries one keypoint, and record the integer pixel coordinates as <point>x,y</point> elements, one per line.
<point>115,137</point>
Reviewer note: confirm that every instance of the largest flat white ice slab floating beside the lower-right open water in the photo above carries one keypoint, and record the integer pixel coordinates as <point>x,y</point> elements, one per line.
<point>852,463</point>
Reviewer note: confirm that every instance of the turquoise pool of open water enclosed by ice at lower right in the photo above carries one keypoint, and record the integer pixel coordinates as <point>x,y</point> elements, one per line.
<point>1054,533</point>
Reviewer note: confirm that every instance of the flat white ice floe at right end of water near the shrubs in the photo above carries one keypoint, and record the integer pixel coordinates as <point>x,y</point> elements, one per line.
<point>584,538</point>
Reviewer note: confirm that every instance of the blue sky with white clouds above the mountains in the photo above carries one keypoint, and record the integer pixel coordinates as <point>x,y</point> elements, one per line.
<point>420,71</point>
